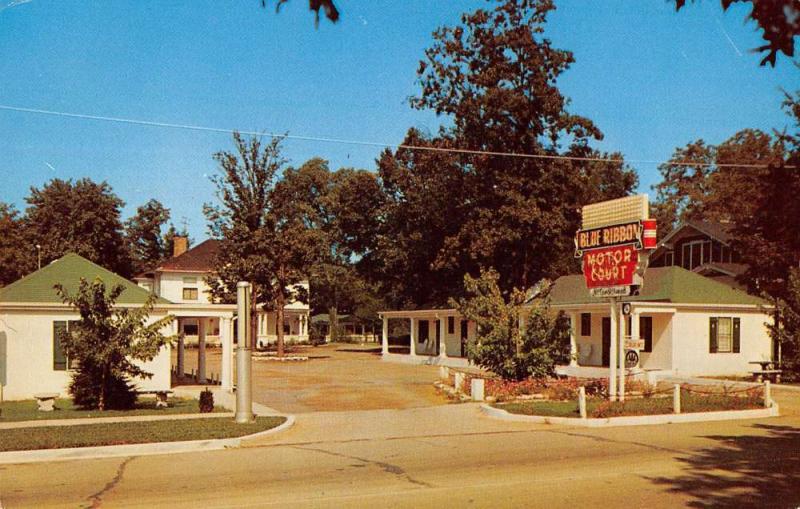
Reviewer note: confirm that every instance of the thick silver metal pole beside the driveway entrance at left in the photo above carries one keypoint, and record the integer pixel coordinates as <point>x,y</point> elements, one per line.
<point>244,387</point>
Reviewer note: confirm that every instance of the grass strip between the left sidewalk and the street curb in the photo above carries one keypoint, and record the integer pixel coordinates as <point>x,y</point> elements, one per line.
<point>86,435</point>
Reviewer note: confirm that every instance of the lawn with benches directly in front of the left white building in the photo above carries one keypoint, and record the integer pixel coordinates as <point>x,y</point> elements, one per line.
<point>28,410</point>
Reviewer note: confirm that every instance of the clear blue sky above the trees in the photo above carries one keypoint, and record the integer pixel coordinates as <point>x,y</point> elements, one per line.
<point>650,78</point>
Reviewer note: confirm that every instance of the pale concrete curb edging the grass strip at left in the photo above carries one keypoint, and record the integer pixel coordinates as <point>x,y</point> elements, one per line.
<point>116,451</point>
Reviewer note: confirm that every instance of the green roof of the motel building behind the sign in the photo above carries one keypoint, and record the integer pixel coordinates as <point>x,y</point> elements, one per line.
<point>662,284</point>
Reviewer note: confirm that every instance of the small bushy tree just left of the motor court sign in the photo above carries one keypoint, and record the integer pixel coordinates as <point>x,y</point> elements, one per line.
<point>515,339</point>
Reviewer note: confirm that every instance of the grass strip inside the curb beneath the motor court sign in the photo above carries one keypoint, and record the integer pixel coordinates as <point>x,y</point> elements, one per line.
<point>690,403</point>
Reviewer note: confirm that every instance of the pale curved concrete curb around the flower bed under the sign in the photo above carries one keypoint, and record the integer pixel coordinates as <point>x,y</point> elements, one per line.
<point>636,420</point>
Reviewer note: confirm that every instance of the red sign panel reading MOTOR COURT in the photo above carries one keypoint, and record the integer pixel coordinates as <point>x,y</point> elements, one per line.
<point>613,266</point>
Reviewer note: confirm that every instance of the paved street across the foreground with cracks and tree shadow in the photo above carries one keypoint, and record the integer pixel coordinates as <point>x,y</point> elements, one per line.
<point>446,456</point>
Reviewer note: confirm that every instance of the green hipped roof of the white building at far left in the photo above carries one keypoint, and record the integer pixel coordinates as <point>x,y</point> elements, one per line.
<point>68,270</point>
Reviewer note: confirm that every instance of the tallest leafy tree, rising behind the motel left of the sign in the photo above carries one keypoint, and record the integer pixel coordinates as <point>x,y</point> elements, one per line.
<point>493,76</point>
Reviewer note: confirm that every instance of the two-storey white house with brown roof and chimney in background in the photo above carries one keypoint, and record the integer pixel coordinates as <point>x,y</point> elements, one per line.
<point>182,279</point>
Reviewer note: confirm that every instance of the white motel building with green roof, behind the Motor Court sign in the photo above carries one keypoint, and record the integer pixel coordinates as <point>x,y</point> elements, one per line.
<point>691,325</point>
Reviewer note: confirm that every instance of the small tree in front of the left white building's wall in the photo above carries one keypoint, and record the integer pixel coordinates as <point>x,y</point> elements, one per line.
<point>106,342</point>
